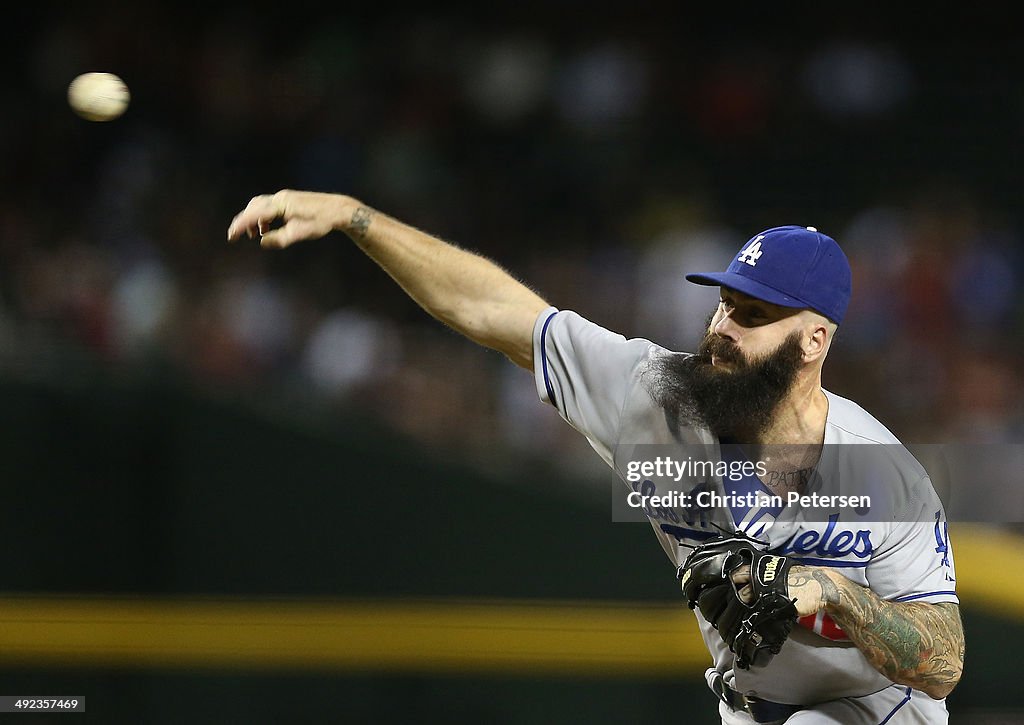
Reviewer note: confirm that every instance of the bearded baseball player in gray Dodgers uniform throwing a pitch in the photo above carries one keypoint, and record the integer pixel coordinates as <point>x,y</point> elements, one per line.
<point>862,624</point>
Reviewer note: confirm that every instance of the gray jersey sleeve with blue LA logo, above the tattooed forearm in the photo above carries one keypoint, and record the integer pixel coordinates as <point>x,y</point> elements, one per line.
<point>917,561</point>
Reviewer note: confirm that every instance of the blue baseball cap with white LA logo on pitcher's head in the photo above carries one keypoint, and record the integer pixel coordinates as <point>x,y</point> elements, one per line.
<point>792,267</point>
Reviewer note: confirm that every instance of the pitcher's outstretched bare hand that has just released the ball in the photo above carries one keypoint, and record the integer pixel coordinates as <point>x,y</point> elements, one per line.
<point>304,216</point>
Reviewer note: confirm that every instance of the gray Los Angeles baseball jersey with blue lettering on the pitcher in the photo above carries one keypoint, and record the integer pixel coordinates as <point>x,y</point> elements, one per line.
<point>596,380</point>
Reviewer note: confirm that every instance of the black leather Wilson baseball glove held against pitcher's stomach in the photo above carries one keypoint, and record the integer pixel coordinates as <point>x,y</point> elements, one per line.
<point>754,631</point>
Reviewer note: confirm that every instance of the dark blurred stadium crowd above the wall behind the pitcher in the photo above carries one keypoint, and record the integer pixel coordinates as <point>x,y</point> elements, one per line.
<point>598,160</point>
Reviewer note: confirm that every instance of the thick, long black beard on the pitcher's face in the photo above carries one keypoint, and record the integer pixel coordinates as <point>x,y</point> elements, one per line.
<point>739,403</point>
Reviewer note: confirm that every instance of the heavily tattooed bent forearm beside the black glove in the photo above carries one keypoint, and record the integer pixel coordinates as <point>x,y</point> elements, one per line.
<point>912,644</point>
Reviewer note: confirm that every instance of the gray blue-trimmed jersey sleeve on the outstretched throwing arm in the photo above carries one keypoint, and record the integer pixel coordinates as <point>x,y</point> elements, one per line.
<point>586,372</point>
